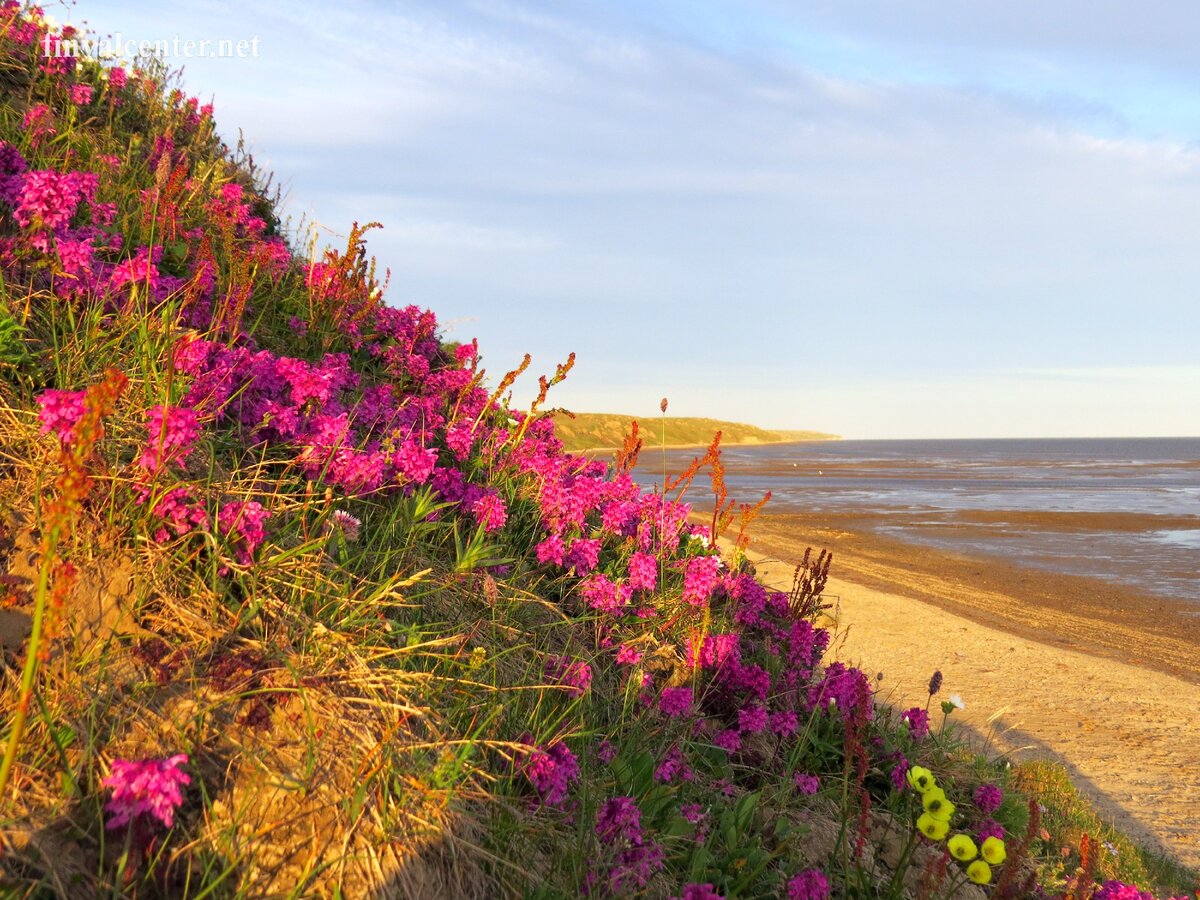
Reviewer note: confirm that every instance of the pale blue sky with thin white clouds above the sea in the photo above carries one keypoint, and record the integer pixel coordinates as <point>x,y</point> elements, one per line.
<point>881,219</point>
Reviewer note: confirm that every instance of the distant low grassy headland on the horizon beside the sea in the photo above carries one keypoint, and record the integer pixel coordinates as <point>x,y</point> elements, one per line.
<point>587,431</point>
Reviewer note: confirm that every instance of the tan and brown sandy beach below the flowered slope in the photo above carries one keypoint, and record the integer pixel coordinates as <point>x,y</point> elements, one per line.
<point>1101,679</point>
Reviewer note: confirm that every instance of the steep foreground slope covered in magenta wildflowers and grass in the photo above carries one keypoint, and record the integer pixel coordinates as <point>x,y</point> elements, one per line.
<point>293,605</point>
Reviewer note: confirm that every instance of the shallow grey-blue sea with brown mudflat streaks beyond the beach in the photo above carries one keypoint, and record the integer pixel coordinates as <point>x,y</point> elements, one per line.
<point>1120,509</point>
